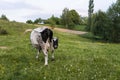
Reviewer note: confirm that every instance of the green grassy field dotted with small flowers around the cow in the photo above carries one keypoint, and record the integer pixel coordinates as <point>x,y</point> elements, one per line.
<point>77,58</point>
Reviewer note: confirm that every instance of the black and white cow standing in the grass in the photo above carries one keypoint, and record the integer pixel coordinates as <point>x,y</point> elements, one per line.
<point>42,39</point>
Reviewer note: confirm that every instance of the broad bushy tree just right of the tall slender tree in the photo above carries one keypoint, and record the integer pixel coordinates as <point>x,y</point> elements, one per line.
<point>101,25</point>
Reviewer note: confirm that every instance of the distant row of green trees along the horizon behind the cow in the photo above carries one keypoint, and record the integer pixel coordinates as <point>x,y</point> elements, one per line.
<point>68,18</point>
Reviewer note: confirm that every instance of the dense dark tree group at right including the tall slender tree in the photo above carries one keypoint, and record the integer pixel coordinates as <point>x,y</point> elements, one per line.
<point>105,25</point>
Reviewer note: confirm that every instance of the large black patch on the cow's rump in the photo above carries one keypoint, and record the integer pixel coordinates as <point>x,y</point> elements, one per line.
<point>47,33</point>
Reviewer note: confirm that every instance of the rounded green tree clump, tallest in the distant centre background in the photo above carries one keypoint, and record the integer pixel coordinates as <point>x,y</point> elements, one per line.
<point>70,18</point>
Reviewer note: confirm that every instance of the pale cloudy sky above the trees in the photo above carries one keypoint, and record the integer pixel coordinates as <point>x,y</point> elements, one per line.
<point>23,10</point>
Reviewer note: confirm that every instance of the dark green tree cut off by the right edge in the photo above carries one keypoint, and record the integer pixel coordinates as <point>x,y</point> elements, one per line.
<point>114,15</point>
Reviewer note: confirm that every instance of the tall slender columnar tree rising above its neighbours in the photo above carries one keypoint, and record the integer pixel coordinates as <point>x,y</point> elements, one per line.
<point>90,12</point>
